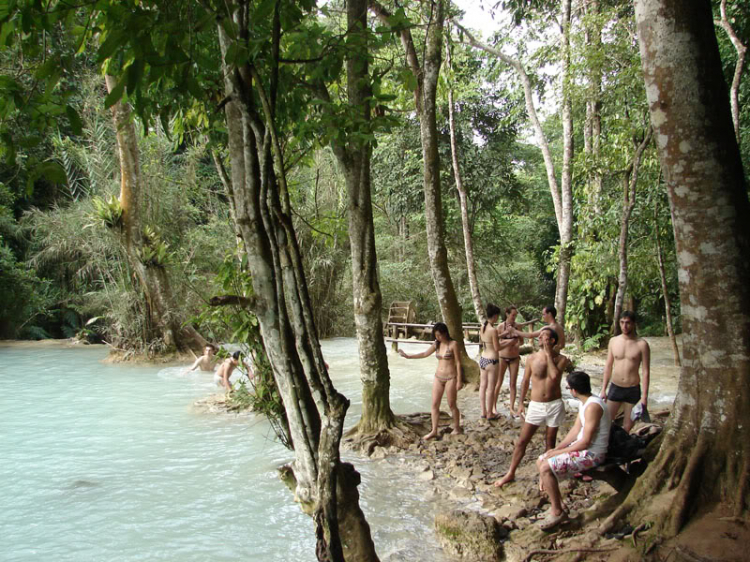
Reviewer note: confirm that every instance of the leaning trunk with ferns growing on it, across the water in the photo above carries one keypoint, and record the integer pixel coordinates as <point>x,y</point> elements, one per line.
<point>152,276</point>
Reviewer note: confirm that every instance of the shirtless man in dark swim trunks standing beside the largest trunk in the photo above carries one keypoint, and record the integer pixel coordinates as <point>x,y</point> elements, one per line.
<point>627,354</point>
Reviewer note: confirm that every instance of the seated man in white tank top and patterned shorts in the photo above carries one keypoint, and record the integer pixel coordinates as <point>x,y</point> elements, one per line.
<point>583,448</point>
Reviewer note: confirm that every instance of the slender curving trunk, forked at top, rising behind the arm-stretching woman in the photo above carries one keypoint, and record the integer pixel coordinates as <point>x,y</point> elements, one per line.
<point>425,99</point>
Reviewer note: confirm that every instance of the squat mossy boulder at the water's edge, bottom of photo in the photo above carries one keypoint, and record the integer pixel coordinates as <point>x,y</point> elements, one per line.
<point>470,535</point>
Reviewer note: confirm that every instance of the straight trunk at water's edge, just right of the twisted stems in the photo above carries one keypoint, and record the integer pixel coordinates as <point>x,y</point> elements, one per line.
<point>355,159</point>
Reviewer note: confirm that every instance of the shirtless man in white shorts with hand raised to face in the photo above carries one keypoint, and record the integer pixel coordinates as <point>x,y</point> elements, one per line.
<point>545,369</point>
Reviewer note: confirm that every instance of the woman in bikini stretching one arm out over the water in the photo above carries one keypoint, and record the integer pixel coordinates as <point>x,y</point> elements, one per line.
<point>447,377</point>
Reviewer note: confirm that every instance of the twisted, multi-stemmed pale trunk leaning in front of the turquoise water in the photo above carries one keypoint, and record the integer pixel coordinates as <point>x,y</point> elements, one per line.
<point>315,410</point>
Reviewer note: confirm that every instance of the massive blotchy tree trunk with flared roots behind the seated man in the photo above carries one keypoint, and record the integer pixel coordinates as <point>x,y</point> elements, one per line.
<point>705,455</point>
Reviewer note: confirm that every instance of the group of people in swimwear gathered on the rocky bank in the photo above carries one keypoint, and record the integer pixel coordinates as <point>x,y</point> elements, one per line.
<point>626,373</point>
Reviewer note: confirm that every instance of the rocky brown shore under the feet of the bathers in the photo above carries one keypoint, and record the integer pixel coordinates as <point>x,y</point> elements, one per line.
<point>474,520</point>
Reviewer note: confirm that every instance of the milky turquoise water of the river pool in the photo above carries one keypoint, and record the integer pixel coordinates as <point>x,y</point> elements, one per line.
<point>110,462</point>
